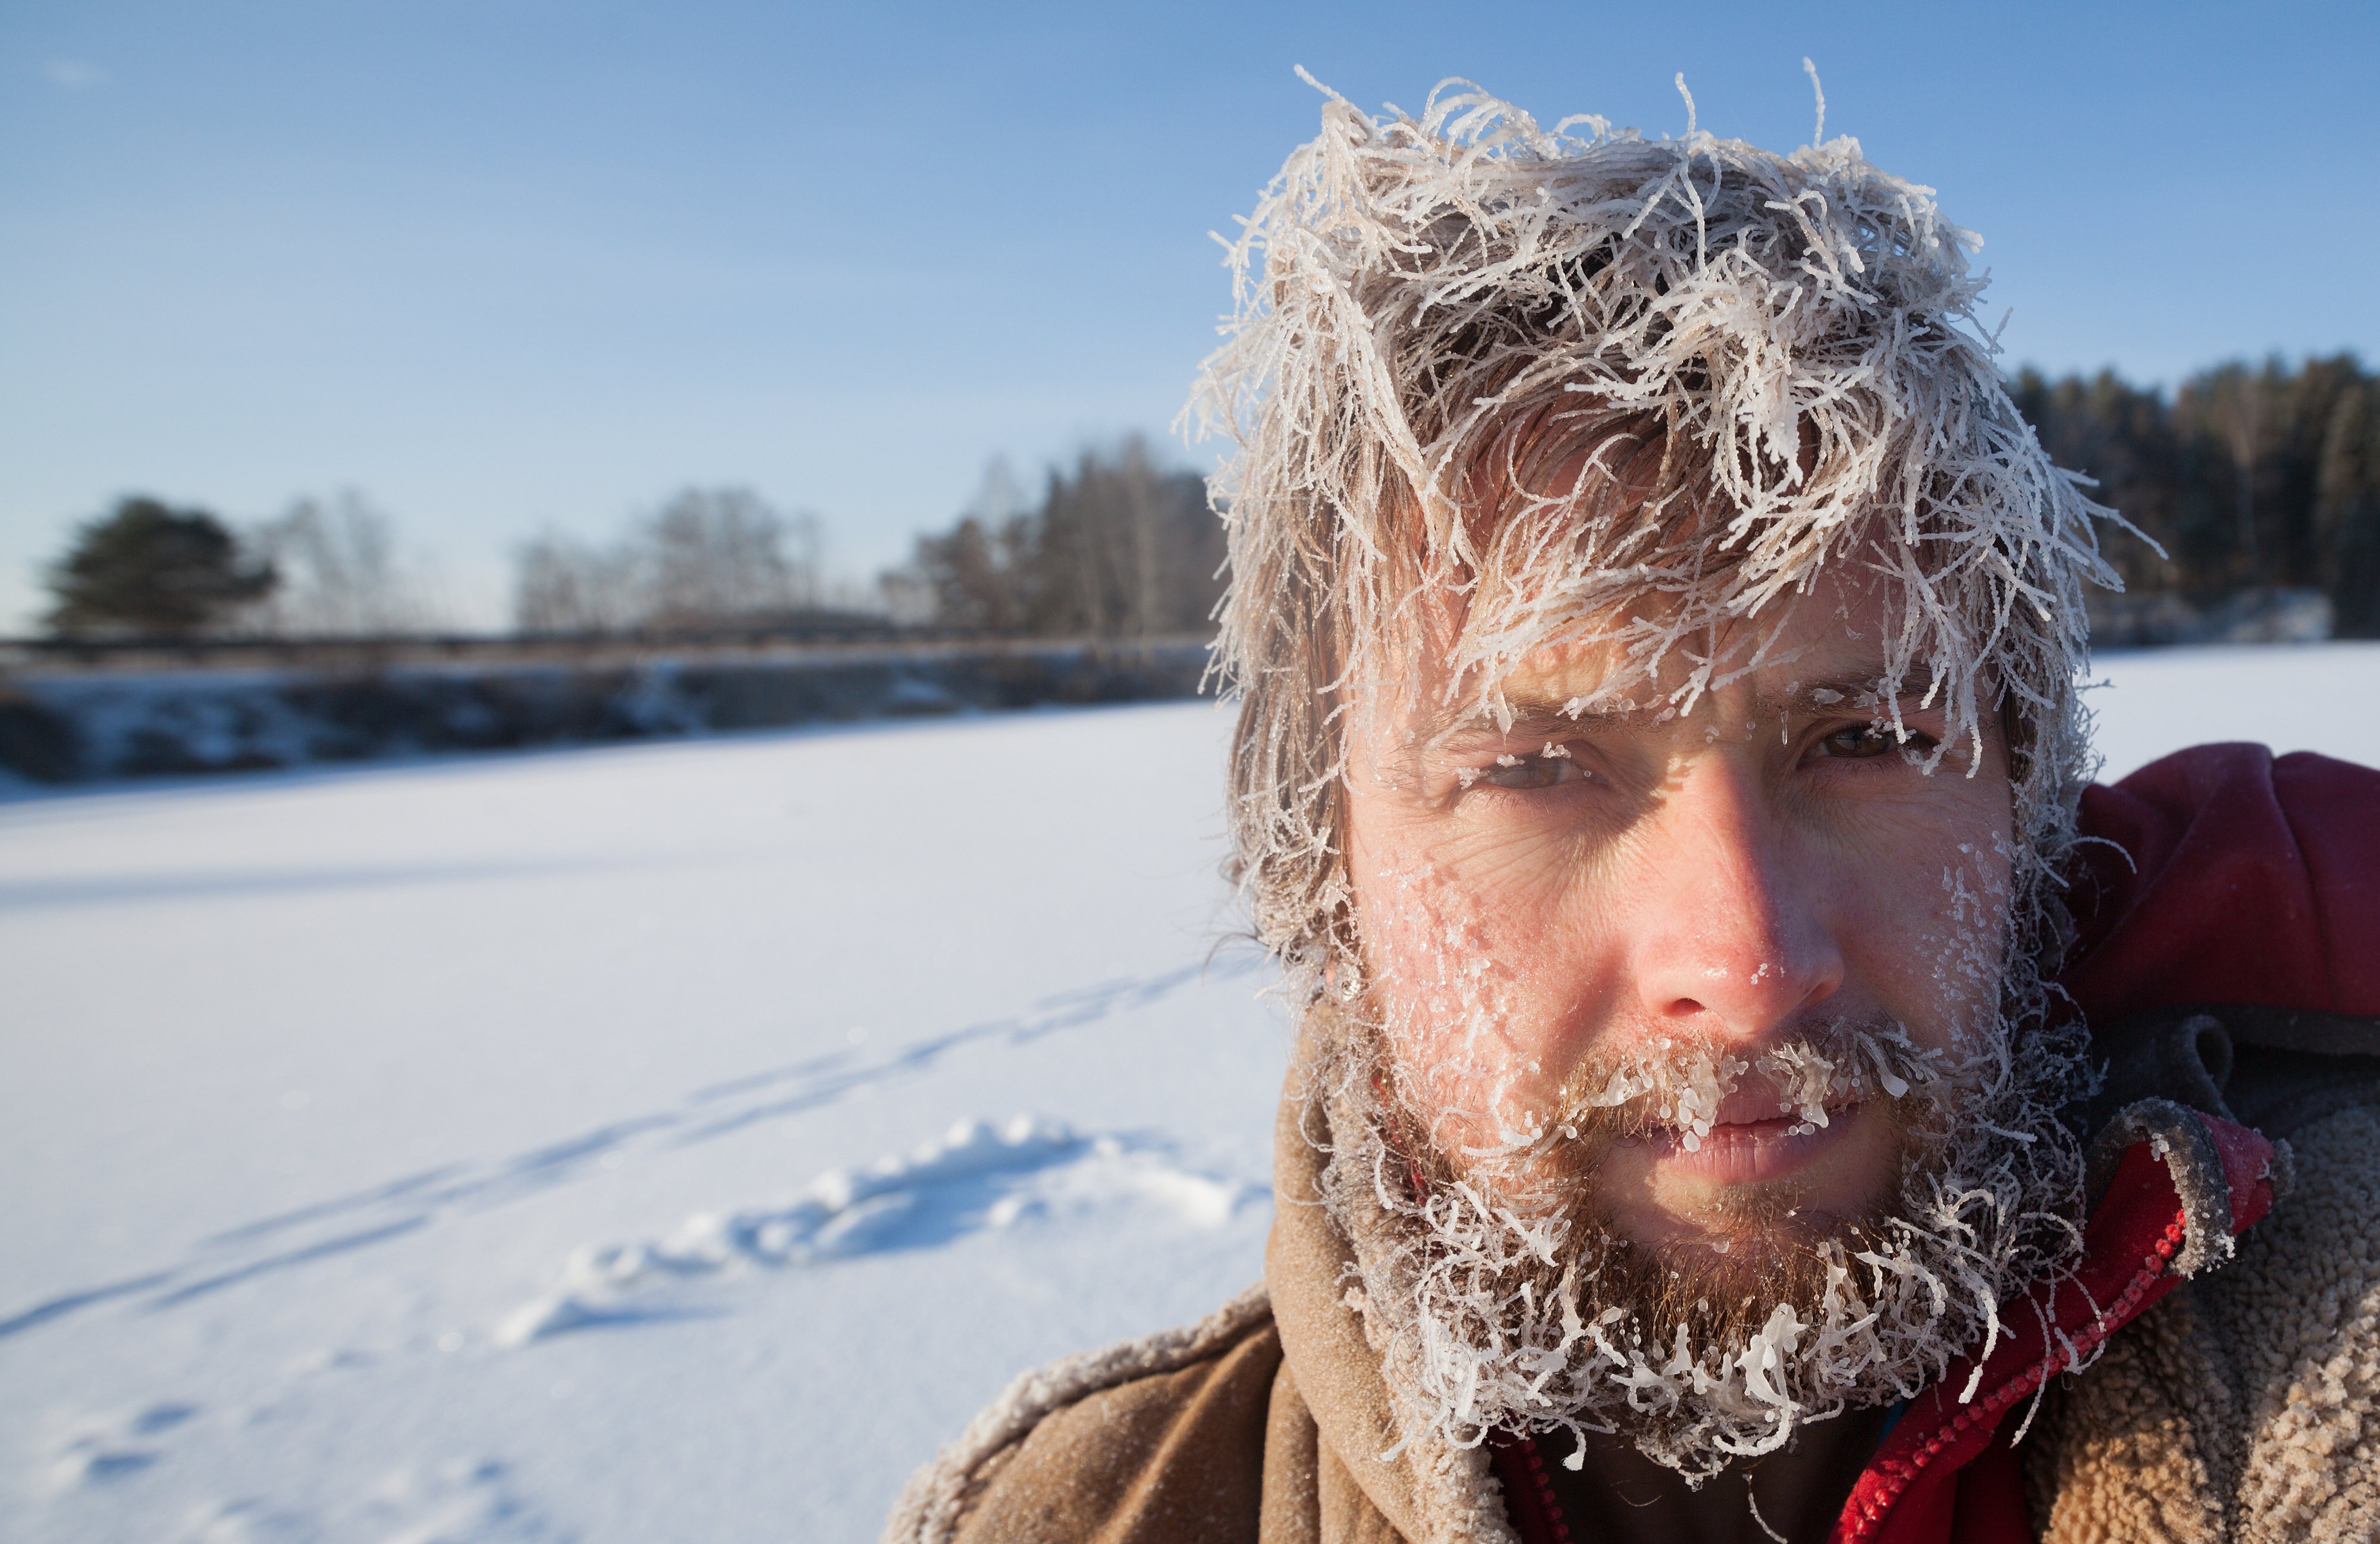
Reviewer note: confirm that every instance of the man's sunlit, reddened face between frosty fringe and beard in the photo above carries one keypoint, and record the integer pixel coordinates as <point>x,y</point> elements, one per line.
<point>1577,893</point>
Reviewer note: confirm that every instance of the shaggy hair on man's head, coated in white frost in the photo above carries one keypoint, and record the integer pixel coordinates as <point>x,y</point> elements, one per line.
<point>1767,365</point>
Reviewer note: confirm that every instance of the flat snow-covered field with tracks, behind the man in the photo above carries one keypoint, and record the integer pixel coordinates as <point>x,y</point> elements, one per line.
<point>660,1143</point>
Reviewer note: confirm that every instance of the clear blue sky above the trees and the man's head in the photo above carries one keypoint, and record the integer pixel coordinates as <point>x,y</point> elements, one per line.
<point>518,265</point>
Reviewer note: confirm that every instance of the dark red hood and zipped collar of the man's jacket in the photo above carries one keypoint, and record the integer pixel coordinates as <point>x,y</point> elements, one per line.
<point>2215,877</point>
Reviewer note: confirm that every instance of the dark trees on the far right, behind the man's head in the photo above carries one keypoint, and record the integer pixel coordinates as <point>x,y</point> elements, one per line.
<point>2246,477</point>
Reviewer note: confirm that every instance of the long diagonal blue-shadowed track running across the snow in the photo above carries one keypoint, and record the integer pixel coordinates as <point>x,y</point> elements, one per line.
<point>406,1205</point>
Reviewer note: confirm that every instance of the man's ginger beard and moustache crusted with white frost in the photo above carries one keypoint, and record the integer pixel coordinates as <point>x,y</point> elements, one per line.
<point>1503,1300</point>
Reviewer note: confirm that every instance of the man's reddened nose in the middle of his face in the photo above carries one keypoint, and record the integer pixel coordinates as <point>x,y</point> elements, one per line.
<point>1734,936</point>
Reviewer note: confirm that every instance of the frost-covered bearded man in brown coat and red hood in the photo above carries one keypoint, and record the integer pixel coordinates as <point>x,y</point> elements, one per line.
<point>1750,1086</point>
